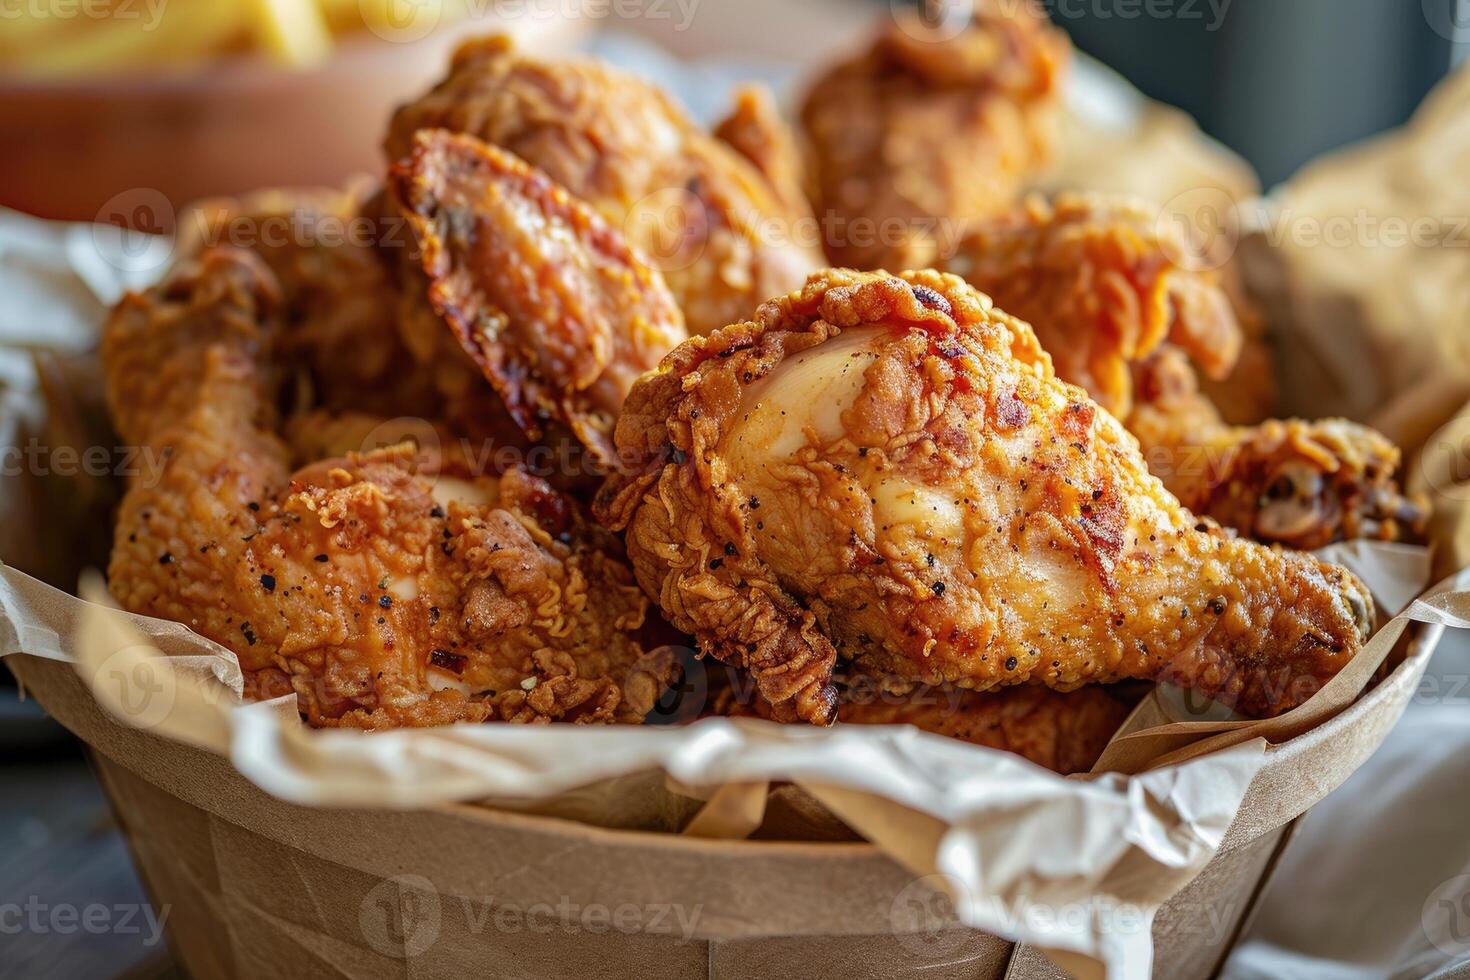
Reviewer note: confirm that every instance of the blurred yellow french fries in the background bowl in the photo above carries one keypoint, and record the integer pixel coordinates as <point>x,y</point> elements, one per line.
<point>57,39</point>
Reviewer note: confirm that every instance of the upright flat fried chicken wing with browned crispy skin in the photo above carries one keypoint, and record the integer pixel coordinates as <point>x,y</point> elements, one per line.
<point>553,305</point>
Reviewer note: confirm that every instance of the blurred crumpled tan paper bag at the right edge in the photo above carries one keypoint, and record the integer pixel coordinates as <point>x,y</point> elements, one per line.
<point>1366,253</point>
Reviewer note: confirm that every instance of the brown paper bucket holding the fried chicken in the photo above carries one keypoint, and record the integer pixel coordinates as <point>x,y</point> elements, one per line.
<point>255,887</point>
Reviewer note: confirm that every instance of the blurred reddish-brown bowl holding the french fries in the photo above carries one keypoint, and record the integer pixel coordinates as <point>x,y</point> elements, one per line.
<point>132,151</point>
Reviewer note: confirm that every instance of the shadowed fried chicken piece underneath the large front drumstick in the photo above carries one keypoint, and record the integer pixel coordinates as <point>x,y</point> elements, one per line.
<point>1062,732</point>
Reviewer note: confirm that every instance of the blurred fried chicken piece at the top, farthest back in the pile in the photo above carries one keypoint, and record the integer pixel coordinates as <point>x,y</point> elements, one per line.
<point>930,130</point>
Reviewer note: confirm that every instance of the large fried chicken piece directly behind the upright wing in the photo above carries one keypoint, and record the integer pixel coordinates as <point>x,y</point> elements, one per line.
<point>703,215</point>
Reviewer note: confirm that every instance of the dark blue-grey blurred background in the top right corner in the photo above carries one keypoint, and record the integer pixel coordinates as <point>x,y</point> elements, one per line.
<point>1280,82</point>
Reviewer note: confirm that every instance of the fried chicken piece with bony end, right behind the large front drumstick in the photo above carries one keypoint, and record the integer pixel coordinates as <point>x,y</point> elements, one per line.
<point>1118,303</point>
